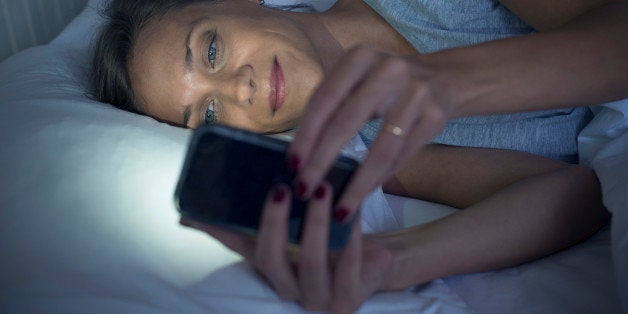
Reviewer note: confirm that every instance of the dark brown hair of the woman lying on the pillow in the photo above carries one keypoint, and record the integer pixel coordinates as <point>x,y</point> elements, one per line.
<point>112,52</point>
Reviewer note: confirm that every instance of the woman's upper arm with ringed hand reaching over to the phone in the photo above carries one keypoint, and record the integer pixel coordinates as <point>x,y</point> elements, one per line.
<point>579,58</point>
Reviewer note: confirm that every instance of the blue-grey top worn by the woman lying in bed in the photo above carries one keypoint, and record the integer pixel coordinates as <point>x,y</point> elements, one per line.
<point>433,25</point>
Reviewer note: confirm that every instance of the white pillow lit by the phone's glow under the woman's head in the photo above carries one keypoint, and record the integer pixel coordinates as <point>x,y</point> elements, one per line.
<point>87,220</point>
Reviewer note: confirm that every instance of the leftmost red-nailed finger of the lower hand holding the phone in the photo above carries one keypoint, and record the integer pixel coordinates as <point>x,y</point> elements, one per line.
<point>271,257</point>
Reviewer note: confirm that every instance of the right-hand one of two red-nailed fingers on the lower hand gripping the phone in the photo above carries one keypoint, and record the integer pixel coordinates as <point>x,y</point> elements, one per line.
<point>313,267</point>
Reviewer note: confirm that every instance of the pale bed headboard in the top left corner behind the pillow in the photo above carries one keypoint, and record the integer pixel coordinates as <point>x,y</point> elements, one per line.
<point>27,23</point>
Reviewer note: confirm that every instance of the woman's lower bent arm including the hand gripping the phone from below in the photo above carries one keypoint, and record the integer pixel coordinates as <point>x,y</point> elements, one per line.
<point>533,211</point>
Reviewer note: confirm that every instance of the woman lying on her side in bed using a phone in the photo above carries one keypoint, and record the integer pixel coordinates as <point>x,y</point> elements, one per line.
<point>237,63</point>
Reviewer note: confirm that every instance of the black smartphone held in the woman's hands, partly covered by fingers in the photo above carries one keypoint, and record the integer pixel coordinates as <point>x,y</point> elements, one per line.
<point>228,173</point>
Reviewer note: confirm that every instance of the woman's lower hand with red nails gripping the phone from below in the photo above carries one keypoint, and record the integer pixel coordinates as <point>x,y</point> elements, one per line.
<point>319,280</point>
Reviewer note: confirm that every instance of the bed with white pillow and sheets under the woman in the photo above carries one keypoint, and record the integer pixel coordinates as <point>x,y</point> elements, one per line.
<point>88,223</point>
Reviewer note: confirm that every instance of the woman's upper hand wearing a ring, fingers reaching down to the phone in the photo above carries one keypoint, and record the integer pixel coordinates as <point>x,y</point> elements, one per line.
<point>365,85</point>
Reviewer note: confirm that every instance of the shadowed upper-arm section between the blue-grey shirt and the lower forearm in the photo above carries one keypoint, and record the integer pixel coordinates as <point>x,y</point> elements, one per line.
<point>463,176</point>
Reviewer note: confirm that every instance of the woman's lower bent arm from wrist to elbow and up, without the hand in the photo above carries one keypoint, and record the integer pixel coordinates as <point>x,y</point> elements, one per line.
<point>519,207</point>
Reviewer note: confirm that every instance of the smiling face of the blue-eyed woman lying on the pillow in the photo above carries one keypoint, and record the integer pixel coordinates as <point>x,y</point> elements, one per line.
<point>229,62</point>
